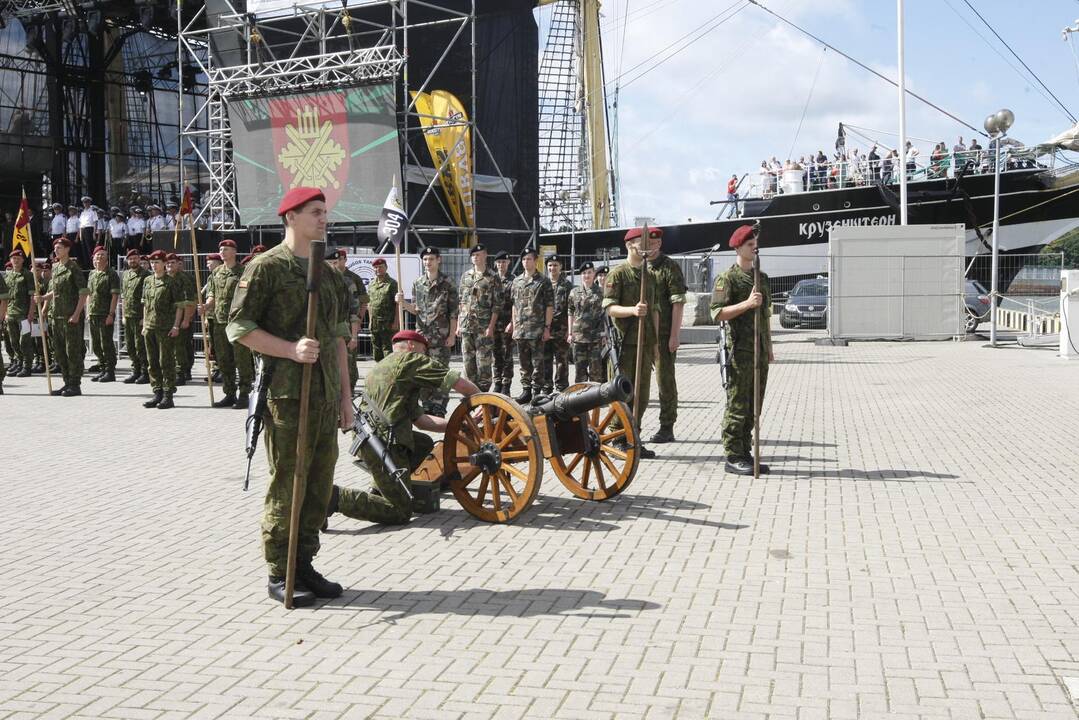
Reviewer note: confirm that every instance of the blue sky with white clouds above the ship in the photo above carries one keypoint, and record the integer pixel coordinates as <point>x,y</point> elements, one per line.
<point>736,97</point>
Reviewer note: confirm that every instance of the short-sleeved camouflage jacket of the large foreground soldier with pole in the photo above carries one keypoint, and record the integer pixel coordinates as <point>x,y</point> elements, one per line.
<point>272,296</point>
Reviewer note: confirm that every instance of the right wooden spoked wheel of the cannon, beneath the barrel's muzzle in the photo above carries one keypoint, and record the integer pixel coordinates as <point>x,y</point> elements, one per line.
<point>608,471</point>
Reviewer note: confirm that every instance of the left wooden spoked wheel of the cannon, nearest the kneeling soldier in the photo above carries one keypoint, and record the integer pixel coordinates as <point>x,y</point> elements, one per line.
<point>498,457</point>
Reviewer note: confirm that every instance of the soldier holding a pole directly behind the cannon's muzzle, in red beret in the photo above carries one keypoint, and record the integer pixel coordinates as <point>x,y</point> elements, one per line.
<point>622,300</point>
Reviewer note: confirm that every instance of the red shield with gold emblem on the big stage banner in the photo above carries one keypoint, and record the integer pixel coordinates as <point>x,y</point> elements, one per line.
<point>311,143</point>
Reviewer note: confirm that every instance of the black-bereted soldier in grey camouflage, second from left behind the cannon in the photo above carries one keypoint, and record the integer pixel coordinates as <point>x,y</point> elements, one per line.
<point>481,295</point>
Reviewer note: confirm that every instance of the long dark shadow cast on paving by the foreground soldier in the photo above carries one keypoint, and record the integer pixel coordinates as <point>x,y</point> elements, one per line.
<point>480,602</point>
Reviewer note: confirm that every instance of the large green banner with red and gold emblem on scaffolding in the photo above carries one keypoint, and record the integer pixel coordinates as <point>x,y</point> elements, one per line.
<point>344,142</point>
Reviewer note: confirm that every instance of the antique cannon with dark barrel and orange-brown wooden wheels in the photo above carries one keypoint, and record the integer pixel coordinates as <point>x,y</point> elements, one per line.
<point>494,454</point>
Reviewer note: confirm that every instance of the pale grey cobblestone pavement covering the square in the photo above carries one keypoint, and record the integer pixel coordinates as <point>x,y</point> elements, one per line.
<point>913,555</point>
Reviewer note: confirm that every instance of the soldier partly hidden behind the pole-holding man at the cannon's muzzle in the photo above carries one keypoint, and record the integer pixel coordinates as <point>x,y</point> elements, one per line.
<point>671,300</point>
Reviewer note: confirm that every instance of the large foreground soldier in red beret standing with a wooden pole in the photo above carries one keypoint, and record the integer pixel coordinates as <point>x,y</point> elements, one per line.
<point>269,316</point>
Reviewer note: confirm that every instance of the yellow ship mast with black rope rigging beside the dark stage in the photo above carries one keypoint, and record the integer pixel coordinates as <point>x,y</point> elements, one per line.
<point>576,175</point>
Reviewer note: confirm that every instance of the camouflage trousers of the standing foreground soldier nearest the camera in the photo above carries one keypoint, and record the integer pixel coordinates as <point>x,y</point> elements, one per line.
<point>282,428</point>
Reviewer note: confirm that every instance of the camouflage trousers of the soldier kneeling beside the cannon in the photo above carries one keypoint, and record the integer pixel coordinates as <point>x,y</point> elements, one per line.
<point>393,508</point>
